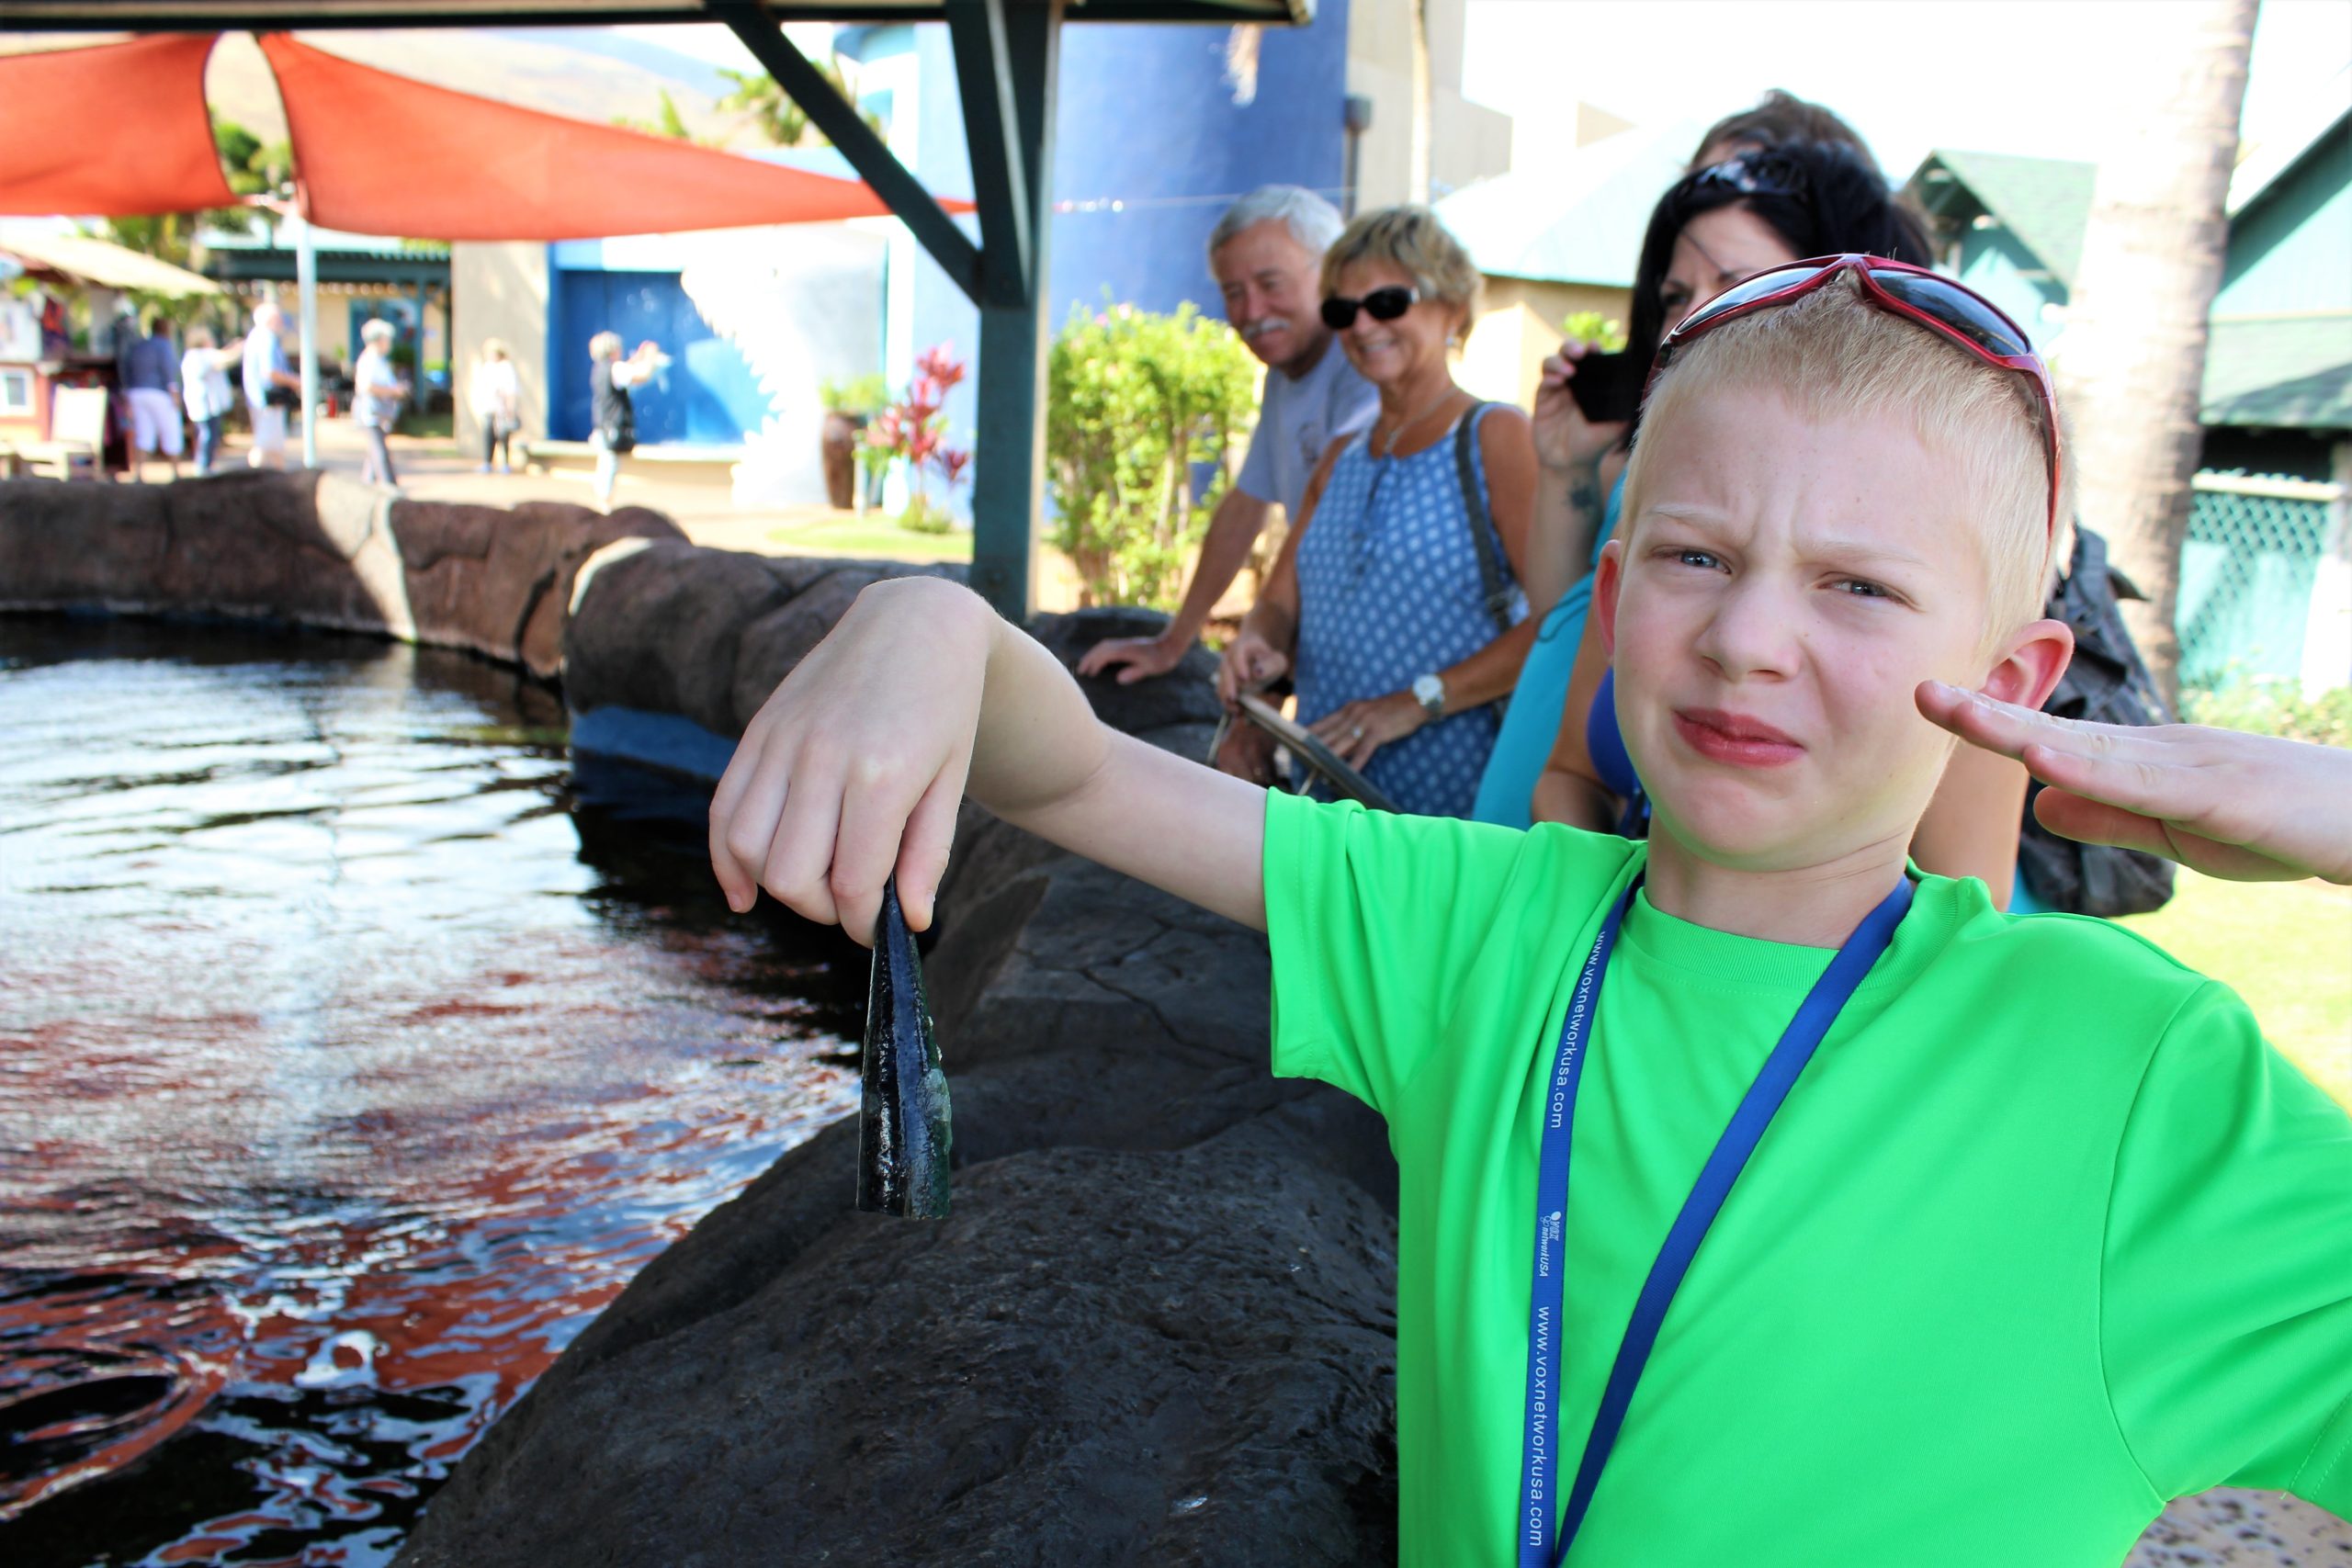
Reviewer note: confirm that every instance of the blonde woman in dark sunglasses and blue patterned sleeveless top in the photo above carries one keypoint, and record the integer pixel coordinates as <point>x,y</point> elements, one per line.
<point>1396,601</point>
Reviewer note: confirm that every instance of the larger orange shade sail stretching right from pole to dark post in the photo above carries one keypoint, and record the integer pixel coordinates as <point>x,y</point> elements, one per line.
<point>387,156</point>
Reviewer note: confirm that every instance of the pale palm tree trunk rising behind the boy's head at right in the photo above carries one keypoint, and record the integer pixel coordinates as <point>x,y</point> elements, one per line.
<point>2132,361</point>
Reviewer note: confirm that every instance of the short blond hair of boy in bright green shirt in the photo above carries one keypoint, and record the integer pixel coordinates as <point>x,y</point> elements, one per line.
<point>1833,354</point>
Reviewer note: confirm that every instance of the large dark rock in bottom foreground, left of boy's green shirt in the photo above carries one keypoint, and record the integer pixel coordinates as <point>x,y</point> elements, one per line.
<point>1097,1360</point>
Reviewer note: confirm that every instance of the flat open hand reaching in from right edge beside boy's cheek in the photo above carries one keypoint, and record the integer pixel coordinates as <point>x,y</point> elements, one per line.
<point>2217,800</point>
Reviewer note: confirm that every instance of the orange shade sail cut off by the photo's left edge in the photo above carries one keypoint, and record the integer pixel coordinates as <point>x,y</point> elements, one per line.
<point>116,130</point>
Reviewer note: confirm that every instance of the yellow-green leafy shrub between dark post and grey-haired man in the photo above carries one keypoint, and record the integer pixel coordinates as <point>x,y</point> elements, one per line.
<point>1132,403</point>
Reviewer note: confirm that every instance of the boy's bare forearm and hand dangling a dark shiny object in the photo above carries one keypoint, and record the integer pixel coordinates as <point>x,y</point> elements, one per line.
<point>855,765</point>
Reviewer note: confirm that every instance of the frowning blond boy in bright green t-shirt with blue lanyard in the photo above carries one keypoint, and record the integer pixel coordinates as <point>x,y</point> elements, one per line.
<point>1975,1242</point>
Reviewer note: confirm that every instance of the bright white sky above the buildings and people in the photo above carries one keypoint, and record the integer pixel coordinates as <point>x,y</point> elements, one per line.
<point>1991,76</point>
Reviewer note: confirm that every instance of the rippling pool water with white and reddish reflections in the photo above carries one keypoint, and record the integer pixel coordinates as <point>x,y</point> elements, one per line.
<point>345,1073</point>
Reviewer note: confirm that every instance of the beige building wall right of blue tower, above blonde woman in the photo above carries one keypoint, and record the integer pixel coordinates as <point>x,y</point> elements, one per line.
<point>1466,140</point>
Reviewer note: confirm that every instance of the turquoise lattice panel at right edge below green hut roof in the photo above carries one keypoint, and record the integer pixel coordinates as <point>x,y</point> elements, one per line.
<point>2247,577</point>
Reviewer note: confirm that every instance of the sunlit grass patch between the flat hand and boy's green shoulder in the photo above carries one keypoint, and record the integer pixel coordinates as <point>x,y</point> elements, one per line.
<point>2285,949</point>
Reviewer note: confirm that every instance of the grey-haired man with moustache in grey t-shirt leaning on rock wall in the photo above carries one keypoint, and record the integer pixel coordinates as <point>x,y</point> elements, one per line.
<point>1267,257</point>
